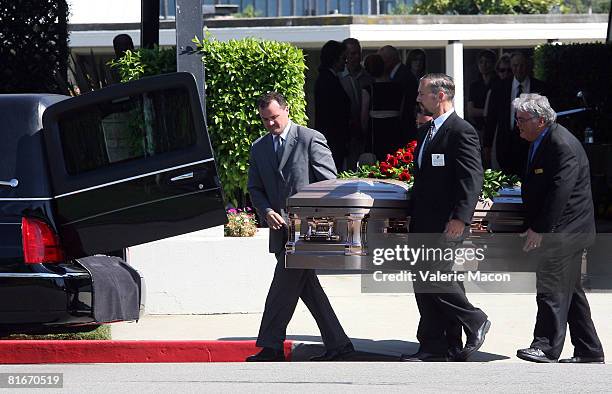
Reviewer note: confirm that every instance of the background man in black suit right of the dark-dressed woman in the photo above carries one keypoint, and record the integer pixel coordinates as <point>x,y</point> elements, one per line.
<point>399,73</point>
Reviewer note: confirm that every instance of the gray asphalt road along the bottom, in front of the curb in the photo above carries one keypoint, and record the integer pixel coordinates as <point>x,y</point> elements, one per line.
<point>324,377</point>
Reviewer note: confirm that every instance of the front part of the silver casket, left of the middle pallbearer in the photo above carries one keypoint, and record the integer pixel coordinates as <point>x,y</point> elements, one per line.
<point>333,223</point>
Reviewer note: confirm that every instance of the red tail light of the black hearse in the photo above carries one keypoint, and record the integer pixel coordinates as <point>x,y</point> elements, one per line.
<point>40,243</point>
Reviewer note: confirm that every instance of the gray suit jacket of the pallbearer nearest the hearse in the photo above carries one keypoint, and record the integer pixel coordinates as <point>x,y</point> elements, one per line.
<point>306,159</point>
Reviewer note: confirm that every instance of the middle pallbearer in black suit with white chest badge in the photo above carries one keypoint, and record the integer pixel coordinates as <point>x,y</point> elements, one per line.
<point>448,181</point>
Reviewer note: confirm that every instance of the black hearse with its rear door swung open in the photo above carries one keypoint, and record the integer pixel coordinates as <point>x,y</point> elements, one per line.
<point>85,176</point>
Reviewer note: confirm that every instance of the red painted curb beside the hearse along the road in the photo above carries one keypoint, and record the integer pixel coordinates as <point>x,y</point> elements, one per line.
<point>83,351</point>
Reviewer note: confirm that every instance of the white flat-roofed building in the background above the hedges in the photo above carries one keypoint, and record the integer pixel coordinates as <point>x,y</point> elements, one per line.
<point>450,41</point>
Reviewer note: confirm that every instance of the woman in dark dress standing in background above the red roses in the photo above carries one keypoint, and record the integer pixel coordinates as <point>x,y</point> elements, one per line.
<point>381,111</point>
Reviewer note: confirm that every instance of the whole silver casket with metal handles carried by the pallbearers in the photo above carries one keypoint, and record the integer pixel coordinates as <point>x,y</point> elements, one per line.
<point>336,224</point>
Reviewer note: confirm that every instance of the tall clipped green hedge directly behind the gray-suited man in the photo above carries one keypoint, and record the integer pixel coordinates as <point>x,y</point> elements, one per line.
<point>238,72</point>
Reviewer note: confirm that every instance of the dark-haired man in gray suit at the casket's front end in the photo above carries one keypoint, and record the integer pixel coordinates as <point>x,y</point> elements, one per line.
<point>281,164</point>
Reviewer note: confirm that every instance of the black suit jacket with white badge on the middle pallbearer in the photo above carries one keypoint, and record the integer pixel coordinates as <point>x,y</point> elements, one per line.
<point>451,191</point>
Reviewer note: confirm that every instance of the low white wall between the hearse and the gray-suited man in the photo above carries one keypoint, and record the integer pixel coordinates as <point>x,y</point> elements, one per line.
<point>205,273</point>
